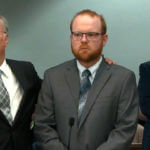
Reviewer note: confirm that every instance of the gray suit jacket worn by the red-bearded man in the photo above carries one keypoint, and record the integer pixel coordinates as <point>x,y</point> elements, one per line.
<point>108,121</point>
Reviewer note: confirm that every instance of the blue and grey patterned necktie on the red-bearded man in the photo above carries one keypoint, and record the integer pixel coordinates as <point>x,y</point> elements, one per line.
<point>85,87</point>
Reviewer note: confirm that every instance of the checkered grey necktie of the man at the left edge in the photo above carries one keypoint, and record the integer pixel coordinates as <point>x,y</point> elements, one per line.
<point>5,100</point>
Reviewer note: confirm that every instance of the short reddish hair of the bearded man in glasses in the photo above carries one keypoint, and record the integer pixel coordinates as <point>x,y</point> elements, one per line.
<point>92,14</point>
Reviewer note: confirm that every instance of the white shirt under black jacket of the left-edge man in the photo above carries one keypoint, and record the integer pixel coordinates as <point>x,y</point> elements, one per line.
<point>13,87</point>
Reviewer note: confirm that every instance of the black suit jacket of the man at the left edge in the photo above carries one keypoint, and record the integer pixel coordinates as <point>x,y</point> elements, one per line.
<point>19,136</point>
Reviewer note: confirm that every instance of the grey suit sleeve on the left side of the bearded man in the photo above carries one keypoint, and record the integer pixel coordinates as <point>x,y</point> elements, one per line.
<point>46,136</point>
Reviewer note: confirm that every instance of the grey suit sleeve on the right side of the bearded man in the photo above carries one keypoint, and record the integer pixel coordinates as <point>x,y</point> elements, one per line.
<point>125,126</point>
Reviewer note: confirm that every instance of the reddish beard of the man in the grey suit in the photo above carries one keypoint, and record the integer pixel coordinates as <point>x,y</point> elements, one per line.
<point>86,54</point>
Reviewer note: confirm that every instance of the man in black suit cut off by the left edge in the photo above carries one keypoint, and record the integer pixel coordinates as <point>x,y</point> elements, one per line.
<point>19,86</point>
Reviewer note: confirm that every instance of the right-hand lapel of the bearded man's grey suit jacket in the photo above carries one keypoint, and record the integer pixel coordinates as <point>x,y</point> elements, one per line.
<point>102,76</point>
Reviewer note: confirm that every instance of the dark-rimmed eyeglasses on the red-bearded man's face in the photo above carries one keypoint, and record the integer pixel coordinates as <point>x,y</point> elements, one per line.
<point>91,36</point>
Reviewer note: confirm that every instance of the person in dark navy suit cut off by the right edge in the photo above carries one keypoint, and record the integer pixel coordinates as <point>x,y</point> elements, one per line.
<point>144,93</point>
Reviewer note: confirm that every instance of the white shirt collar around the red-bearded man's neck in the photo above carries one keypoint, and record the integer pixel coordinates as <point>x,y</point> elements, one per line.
<point>92,69</point>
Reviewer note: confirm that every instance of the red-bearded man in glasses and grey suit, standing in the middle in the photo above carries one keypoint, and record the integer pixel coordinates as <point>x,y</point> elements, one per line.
<point>85,103</point>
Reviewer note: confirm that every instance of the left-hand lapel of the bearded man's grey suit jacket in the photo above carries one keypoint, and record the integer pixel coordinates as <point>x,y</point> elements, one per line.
<point>73,81</point>
